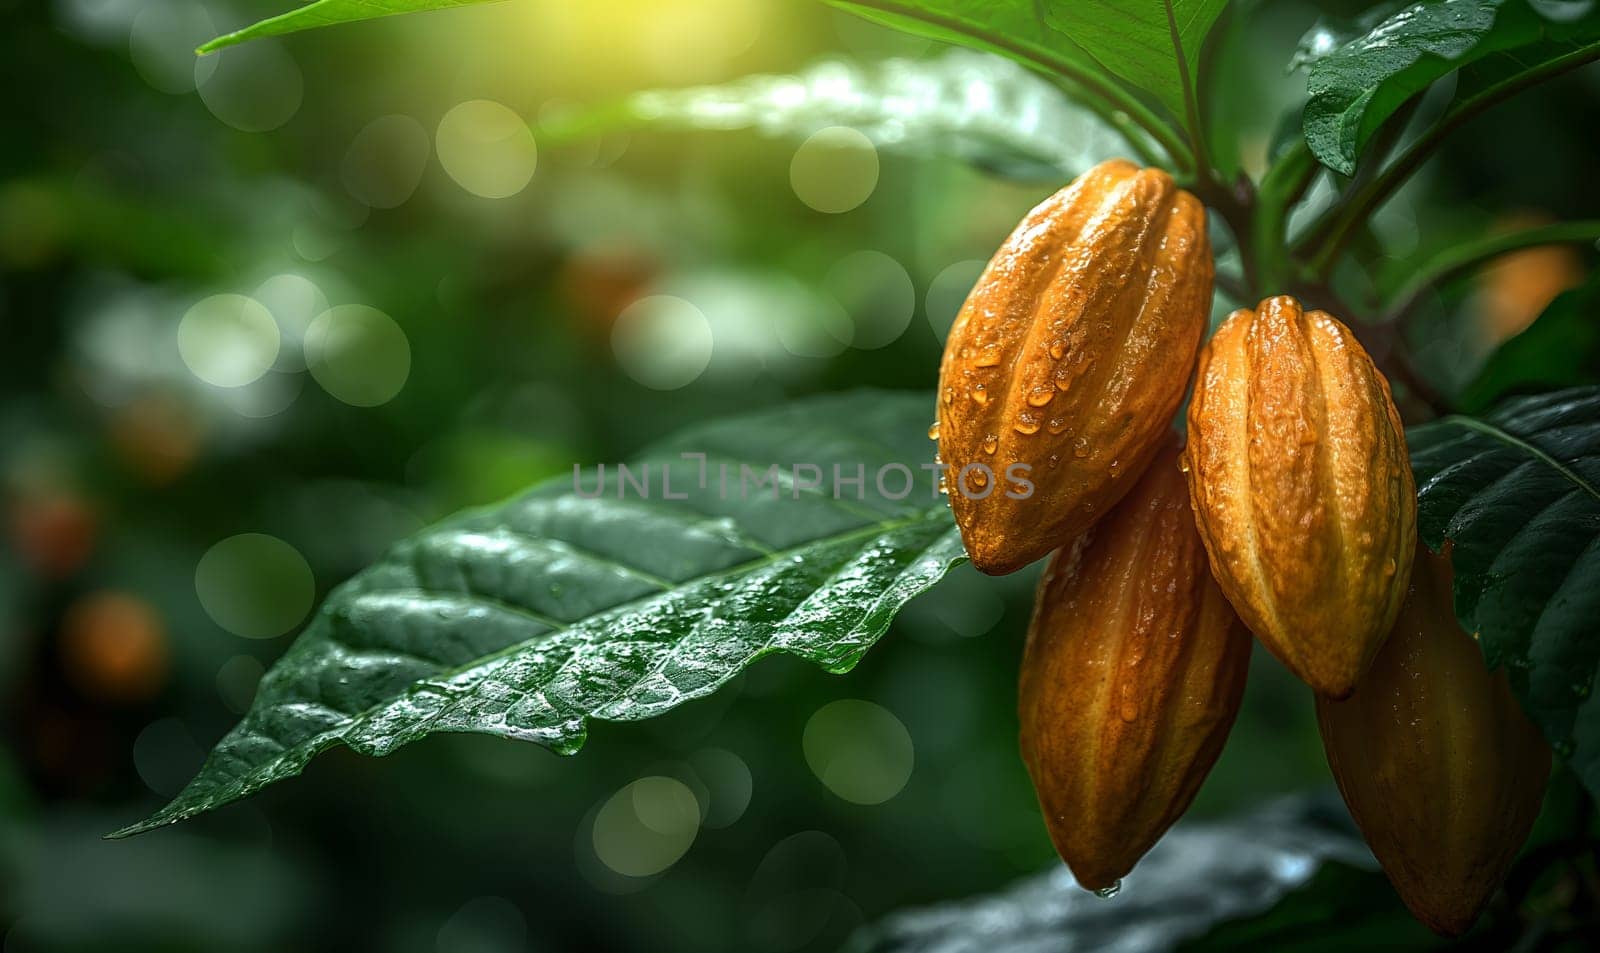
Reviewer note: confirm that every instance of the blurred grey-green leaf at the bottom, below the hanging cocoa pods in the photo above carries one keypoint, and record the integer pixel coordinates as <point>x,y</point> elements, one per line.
<point>1198,877</point>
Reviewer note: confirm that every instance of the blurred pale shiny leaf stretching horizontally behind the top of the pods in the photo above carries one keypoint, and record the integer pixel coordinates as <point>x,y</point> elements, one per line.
<point>974,106</point>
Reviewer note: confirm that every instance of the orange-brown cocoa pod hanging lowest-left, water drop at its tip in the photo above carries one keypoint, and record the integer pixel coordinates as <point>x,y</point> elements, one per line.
<point>1132,679</point>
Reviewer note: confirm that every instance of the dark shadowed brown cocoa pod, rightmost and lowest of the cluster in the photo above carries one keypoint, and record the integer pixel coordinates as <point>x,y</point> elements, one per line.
<point>1436,760</point>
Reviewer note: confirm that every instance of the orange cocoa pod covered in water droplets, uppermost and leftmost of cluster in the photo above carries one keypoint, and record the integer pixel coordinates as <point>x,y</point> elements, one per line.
<point>1070,361</point>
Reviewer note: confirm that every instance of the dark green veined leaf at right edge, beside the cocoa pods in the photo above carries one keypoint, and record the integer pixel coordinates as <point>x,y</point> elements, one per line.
<point>1518,493</point>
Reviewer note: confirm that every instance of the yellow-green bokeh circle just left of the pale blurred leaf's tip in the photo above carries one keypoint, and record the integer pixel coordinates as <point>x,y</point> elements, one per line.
<point>487,150</point>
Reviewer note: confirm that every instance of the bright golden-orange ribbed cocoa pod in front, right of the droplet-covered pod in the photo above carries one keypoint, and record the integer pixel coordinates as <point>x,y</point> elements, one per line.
<point>1303,488</point>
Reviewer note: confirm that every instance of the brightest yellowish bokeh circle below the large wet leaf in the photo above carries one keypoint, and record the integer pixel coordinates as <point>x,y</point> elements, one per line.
<point>647,827</point>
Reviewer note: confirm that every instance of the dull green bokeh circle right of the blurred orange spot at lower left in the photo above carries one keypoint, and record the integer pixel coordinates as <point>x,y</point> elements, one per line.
<point>255,586</point>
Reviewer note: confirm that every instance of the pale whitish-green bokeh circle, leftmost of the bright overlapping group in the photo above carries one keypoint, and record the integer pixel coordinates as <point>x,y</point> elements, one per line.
<point>228,340</point>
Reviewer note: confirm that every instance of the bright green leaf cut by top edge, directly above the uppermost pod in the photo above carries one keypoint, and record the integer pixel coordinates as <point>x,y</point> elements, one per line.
<point>1143,41</point>
